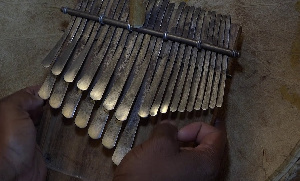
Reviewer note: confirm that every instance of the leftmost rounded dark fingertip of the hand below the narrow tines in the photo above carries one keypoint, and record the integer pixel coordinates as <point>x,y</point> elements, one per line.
<point>164,137</point>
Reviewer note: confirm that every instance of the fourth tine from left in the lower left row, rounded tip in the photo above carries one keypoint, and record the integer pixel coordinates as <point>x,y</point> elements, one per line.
<point>87,104</point>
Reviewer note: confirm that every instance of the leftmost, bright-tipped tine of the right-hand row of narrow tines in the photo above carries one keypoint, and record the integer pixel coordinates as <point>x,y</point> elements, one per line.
<point>151,90</point>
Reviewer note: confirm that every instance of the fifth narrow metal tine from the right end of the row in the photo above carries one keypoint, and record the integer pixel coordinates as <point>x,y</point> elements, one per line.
<point>198,65</point>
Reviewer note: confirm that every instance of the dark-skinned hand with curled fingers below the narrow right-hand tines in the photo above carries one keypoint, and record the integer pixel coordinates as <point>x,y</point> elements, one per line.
<point>162,159</point>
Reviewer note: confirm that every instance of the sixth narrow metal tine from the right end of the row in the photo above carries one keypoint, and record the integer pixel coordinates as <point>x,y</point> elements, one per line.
<point>187,87</point>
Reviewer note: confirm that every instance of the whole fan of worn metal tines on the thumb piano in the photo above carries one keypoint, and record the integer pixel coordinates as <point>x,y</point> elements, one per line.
<point>107,74</point>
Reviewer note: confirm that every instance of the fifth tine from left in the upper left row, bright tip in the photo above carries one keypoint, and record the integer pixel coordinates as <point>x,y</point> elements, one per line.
<point>110,66</point>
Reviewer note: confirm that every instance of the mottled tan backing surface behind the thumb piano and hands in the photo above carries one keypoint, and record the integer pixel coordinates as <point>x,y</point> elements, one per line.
<point>263,102</point>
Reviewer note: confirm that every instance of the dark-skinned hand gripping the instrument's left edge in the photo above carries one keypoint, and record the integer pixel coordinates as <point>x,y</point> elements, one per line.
<point>20,157</point>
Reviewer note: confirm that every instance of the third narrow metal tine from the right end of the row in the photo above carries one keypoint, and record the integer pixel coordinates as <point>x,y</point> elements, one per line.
<point>211,70</point>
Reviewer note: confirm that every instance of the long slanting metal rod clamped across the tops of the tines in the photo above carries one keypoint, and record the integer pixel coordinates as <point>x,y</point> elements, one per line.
<point>165,35</point>
